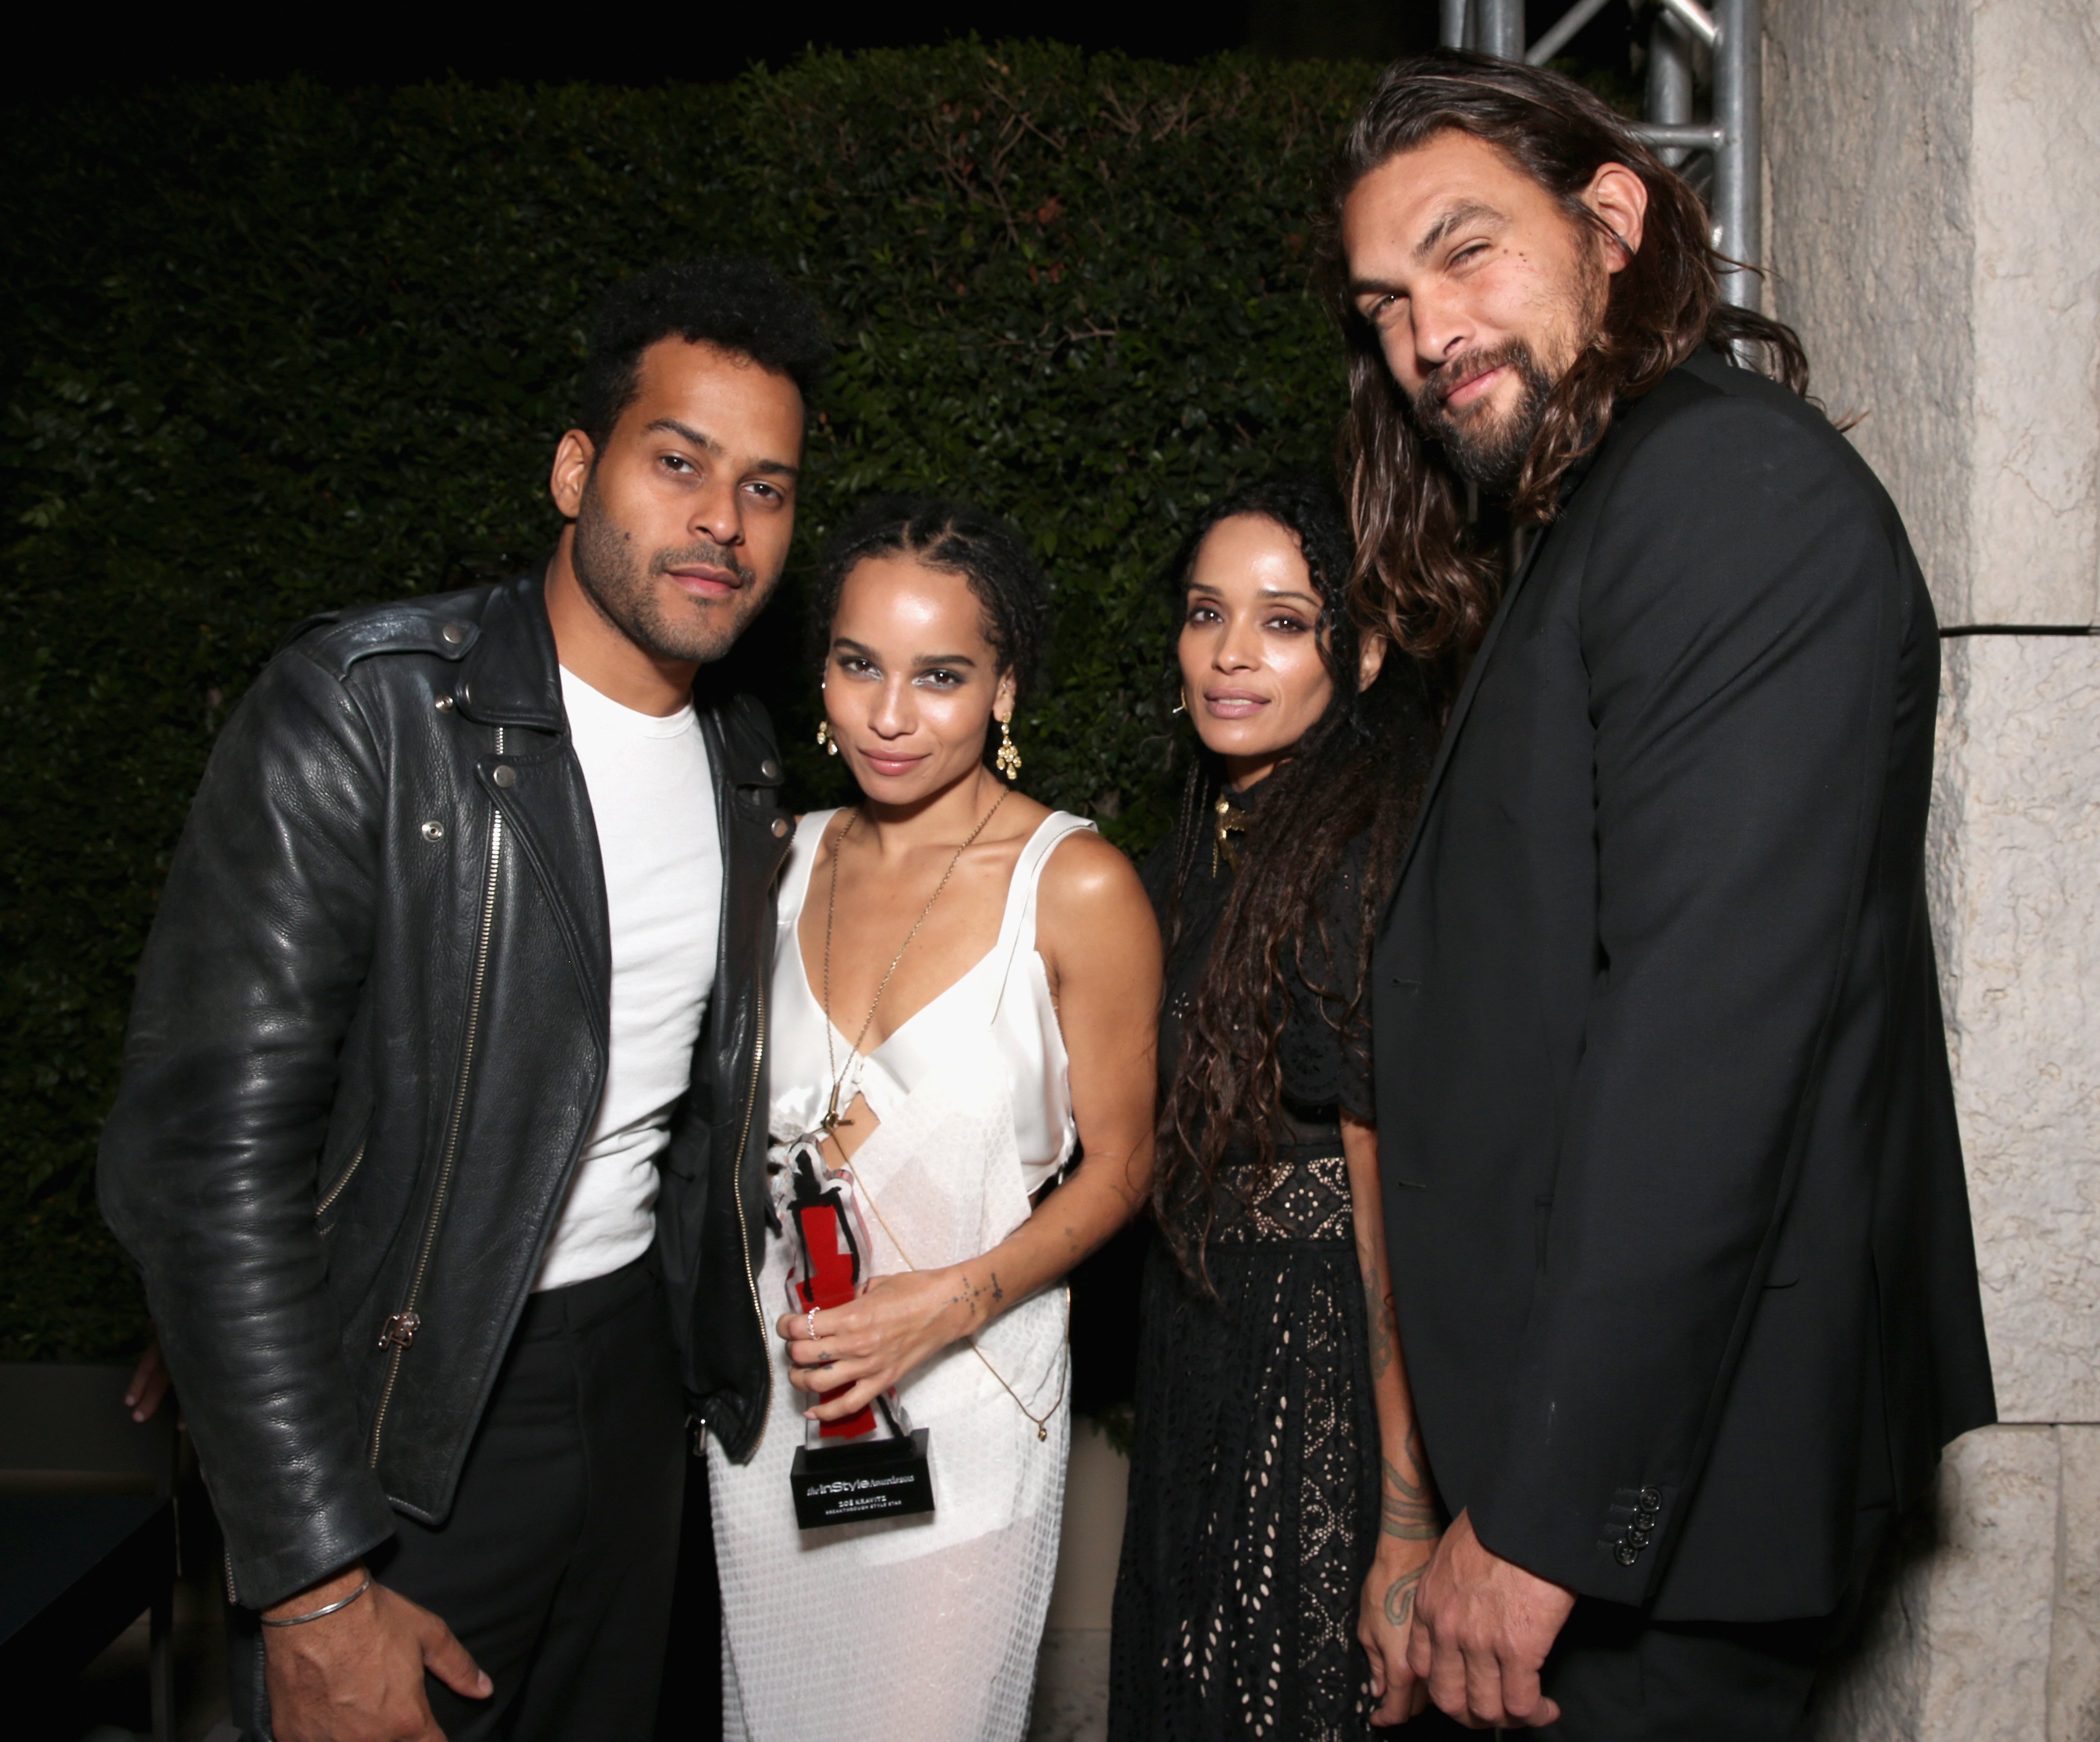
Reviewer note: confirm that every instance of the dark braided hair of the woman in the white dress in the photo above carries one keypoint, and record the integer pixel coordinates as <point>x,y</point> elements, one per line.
<point>963,540</point>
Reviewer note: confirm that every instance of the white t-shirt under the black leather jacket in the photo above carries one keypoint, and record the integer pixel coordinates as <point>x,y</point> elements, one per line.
<point>652,796</point>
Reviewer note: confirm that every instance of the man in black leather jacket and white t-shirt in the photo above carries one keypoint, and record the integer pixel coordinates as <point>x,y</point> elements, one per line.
<point>438,1134</point>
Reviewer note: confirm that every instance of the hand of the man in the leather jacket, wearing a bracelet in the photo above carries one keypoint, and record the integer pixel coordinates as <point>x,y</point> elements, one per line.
<point>356,1676</point>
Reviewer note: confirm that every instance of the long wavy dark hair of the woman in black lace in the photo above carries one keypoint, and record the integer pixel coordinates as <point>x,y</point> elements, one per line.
<point>1358,773</point>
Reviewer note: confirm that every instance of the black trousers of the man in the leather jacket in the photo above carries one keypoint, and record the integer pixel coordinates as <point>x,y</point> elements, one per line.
<point>555,1567</point>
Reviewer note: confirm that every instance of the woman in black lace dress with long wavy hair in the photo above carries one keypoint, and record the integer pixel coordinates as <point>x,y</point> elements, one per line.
<point>1280,1508</point>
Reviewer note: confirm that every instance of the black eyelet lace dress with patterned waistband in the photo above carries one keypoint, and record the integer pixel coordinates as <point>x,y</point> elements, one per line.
<point>1255,1470</point>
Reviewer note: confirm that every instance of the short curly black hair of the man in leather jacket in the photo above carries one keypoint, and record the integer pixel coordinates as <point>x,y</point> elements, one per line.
<point>738,305</point>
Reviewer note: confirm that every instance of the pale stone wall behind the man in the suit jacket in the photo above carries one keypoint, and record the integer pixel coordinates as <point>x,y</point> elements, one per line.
<point>1935,234</point>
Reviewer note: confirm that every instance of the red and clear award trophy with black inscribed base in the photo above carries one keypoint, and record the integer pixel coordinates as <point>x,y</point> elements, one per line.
<point>858,1466</point>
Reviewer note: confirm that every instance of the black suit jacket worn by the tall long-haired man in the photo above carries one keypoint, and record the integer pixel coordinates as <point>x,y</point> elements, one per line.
<point>1675,1191</point>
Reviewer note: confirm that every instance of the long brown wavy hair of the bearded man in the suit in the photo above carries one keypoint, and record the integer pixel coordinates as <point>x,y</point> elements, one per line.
<point>1421,572</point>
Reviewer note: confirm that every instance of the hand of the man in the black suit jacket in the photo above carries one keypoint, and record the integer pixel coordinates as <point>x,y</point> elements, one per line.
<point>1484,1630</point>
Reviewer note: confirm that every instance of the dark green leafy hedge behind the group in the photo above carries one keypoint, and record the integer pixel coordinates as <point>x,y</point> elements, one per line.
<point>276,349</point>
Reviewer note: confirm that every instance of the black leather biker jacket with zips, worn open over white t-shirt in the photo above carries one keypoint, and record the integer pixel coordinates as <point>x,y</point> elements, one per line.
<point>366,1048</point>
